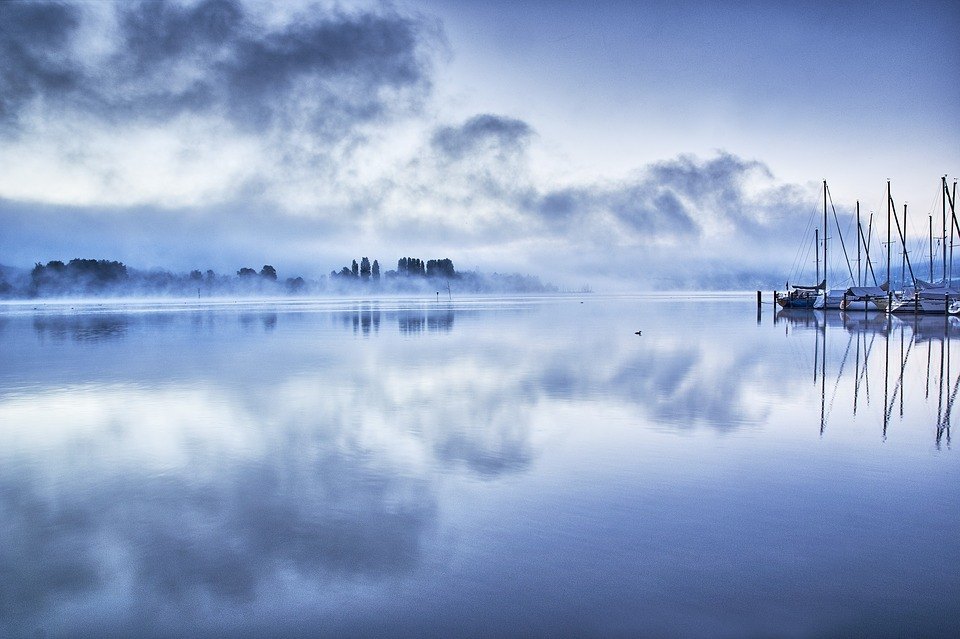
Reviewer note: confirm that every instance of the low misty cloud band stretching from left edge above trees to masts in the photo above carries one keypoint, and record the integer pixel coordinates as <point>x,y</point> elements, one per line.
<point>663,226</point>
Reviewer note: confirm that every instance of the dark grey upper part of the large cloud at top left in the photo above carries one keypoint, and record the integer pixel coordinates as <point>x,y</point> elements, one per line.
<point>327,71</point>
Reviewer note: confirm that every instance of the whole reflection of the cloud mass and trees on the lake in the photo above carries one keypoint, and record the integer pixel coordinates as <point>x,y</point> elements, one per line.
<point>268,455</point>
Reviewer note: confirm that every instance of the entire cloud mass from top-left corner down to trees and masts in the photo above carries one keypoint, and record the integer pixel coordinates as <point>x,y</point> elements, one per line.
<point>215,133</point>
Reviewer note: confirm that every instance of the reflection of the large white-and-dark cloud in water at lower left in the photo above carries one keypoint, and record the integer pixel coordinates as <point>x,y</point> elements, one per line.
<point>199,505</point>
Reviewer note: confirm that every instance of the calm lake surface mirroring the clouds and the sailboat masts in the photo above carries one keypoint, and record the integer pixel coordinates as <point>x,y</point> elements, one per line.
<point>481,467</point>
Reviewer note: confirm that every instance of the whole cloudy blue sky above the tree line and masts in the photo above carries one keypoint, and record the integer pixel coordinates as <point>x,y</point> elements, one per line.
<point>612,144</point>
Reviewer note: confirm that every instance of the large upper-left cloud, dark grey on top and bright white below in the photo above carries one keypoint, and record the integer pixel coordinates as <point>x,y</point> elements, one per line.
<point>200,103</point>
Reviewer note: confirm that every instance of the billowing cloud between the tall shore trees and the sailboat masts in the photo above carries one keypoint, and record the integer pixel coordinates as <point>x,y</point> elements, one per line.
<point>672,223</point>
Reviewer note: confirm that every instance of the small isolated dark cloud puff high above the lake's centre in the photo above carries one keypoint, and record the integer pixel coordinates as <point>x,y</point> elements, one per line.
<point>482,133</point>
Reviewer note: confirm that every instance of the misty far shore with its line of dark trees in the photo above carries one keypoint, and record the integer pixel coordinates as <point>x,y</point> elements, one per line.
<point>102,278</point>
